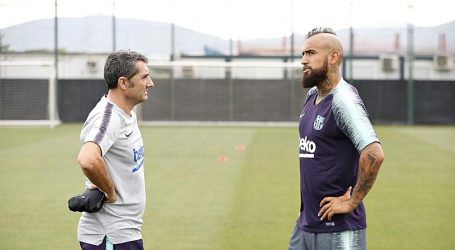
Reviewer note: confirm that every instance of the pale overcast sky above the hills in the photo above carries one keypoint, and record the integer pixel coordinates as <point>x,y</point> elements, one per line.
<point>242,19</point>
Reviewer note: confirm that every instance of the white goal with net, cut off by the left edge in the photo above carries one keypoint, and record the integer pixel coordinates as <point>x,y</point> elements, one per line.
<point>28,94</point>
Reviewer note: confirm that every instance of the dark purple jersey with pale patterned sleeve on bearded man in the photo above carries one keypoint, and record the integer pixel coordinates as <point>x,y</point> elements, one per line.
<point>332,133</point>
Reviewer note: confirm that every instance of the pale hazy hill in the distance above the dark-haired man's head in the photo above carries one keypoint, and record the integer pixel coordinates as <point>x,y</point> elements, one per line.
<point>94,34</point>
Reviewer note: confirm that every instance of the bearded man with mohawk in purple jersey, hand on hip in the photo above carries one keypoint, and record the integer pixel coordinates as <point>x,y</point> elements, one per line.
<point>340,154</point>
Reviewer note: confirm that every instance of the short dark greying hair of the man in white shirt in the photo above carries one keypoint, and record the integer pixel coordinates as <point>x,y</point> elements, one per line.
<point>121,63</point>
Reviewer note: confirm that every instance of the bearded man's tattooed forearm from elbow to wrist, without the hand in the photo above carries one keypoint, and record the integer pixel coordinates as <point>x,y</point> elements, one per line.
<point>370,161</point>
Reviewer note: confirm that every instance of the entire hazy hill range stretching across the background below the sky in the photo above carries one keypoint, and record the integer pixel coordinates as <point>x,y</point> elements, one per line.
<point>94,34</point>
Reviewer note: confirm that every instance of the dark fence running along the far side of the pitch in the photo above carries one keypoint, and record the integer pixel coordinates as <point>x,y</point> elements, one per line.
<point>264,93</point>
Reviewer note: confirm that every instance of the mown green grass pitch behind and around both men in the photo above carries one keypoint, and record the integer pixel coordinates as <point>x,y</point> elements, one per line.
<point>250,201</point>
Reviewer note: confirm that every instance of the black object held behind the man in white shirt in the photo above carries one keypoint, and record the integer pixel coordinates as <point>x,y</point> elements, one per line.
<point>90,201</point>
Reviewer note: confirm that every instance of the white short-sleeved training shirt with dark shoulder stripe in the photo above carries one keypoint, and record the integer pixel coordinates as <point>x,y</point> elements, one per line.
<point>122,149</point>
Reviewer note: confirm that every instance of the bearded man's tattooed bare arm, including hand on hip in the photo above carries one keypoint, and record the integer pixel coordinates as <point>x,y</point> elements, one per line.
<point>371,158</point>
